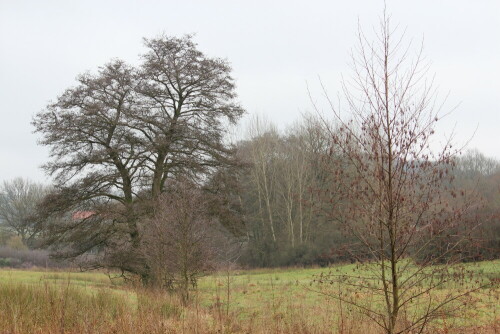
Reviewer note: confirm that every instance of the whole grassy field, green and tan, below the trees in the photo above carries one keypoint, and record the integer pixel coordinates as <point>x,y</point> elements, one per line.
<point>242,301</point>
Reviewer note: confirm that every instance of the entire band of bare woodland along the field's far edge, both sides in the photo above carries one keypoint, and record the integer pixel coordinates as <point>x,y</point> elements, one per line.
<point>283,172</point>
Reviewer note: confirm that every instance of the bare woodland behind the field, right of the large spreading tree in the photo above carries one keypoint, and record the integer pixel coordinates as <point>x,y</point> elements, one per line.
<point>288,171</point>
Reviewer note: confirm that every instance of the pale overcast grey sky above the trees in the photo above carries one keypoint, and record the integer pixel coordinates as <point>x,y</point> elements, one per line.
<point>275,47</point>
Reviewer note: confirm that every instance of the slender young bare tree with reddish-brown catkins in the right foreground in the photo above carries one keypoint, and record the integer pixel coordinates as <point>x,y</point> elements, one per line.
<point>393,190</point>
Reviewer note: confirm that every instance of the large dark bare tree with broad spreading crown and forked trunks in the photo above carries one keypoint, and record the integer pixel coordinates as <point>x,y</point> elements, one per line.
<point>120,137</point>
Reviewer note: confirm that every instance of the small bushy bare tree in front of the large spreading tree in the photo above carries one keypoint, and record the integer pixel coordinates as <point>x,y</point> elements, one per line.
<point>181,241</point>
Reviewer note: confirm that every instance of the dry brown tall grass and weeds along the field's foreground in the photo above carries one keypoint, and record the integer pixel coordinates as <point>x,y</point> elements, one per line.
<point>66,307</point>
